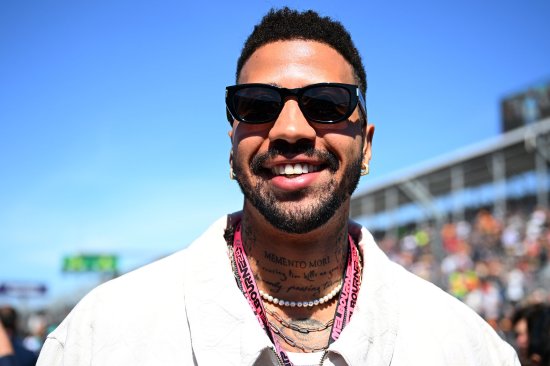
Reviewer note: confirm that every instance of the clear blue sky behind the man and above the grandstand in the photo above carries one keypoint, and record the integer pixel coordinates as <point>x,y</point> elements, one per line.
<point>113,135</point>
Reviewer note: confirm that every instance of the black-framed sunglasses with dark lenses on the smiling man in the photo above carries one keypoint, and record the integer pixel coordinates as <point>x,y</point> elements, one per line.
<point>322,103</point>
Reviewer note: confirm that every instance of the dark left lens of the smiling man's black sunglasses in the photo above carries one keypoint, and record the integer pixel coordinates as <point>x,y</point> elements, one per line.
<point>256,104</point>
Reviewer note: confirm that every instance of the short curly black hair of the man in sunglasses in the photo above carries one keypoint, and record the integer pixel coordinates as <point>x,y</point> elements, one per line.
<point>288,24</point>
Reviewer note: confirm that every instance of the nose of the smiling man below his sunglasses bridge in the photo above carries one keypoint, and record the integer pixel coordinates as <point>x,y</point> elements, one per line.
<point>291,125</point>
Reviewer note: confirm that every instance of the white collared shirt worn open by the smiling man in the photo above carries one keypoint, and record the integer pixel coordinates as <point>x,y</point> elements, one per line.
<point>186,309</point>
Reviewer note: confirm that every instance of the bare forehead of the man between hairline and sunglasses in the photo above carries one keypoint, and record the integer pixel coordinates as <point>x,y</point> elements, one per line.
<point>296,63</point>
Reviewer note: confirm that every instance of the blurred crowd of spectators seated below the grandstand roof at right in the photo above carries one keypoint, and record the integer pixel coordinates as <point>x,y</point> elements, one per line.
<point>498,266</point>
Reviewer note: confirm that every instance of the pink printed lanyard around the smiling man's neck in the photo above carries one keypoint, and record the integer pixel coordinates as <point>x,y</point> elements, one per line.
<point>346,301</point>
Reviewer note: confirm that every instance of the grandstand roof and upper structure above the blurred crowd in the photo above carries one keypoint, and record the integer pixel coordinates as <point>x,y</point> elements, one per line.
<point>493,173</point>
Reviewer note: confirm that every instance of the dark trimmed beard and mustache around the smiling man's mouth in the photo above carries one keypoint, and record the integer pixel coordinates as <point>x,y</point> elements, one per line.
<point>287,213</point>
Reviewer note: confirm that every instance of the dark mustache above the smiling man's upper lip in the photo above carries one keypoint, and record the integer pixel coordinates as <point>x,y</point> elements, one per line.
<point>289,150</point>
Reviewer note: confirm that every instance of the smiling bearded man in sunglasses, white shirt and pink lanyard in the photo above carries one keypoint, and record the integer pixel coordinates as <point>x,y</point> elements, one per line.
<point>289,280</point>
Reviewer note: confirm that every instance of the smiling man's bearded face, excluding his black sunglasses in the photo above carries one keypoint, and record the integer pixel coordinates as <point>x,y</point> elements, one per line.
<point>296,173</point>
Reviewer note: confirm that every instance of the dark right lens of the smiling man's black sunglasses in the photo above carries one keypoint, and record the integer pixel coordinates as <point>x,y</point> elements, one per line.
<point>326,103</point>
